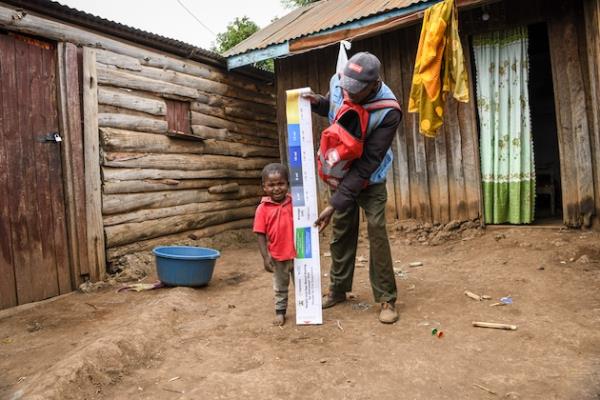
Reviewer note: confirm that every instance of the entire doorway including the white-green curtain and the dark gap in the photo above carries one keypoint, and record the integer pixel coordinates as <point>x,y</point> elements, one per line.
<point>517,125</point>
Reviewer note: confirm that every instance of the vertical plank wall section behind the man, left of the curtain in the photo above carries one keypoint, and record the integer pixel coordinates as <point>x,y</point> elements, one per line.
<point>434,180</point>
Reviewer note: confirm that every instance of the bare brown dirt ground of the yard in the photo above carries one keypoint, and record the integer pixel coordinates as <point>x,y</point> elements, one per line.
<point>217,342</point>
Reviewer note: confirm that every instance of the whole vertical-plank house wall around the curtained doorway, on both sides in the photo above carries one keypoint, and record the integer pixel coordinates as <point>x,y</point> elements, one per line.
<point>438,180</point>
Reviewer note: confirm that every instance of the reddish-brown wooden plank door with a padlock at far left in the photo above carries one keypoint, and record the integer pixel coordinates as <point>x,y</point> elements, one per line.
<point>34,263</point>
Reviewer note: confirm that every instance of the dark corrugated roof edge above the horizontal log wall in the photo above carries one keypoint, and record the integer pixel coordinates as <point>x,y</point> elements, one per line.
<point>65,13</point>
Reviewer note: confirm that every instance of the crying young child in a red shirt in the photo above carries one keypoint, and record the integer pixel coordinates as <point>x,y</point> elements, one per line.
<point>273,224</point>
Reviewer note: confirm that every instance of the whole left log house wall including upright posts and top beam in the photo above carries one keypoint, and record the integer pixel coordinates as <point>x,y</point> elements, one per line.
<point>140,184</point>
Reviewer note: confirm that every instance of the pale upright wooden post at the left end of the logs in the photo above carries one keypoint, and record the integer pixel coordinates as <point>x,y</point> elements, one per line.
<point>95,229</point>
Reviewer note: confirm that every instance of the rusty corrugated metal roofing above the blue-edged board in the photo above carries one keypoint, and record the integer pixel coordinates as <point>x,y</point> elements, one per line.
<point>316,17</point>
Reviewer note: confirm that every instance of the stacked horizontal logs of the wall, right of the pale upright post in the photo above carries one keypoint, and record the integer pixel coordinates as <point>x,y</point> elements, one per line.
<point>157,189</point>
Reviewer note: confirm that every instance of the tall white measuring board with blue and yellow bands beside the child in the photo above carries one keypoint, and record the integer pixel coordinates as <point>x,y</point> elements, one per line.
<point>303,184</point>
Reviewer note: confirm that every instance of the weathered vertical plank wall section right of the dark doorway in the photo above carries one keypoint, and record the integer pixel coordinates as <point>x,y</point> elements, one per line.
<point>570,77</point>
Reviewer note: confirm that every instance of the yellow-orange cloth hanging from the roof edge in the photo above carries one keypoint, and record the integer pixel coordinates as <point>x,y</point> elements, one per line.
<point>439,67</point>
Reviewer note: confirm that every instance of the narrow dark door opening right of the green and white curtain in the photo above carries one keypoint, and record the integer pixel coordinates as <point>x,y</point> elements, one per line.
<point>548,201</point>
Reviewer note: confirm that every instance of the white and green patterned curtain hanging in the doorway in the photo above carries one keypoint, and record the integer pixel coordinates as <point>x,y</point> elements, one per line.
<point>506,145</point>
